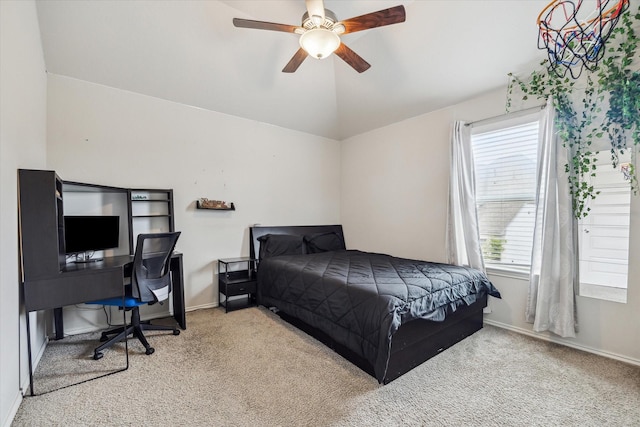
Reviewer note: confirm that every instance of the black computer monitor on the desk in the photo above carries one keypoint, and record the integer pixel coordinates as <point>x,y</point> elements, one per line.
<point>86,234</point>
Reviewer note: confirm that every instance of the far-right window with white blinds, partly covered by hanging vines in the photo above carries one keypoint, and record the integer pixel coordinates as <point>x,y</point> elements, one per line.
<point>604,233</point>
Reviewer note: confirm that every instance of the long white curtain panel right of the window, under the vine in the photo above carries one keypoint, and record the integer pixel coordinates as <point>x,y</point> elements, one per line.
<point>551,302</point>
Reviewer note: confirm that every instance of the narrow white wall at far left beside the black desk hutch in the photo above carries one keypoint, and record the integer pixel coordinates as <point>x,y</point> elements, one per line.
<point>22,145</point>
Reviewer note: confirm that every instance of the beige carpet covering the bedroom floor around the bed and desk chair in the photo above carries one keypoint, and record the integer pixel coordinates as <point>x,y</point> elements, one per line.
<point>249,368</point>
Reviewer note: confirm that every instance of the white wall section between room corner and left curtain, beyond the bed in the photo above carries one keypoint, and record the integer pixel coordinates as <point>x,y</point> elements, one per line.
<point>392,190</point>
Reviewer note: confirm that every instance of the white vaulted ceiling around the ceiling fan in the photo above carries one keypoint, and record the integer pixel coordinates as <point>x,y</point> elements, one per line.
<point>189,52</point>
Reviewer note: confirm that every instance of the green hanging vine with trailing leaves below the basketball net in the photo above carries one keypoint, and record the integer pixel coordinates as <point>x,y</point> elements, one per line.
<point>613,86</point>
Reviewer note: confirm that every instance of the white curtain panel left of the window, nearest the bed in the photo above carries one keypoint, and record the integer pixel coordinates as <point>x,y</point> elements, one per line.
<point>463,238</point>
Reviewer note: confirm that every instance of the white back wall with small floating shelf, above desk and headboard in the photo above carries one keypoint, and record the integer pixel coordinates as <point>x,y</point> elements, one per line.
<point>274,176</point>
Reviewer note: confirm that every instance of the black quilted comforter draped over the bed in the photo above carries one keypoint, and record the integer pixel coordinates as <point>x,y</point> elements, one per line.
<point>360,299</point>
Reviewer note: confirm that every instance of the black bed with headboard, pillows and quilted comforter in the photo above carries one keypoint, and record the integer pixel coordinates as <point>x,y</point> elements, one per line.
<point>385,314</point>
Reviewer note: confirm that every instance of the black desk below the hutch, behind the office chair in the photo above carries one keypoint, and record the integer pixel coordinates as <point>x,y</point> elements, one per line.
<point>83,282</point>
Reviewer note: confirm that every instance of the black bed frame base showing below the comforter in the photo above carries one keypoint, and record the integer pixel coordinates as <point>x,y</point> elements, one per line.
<point>414,343</point>
